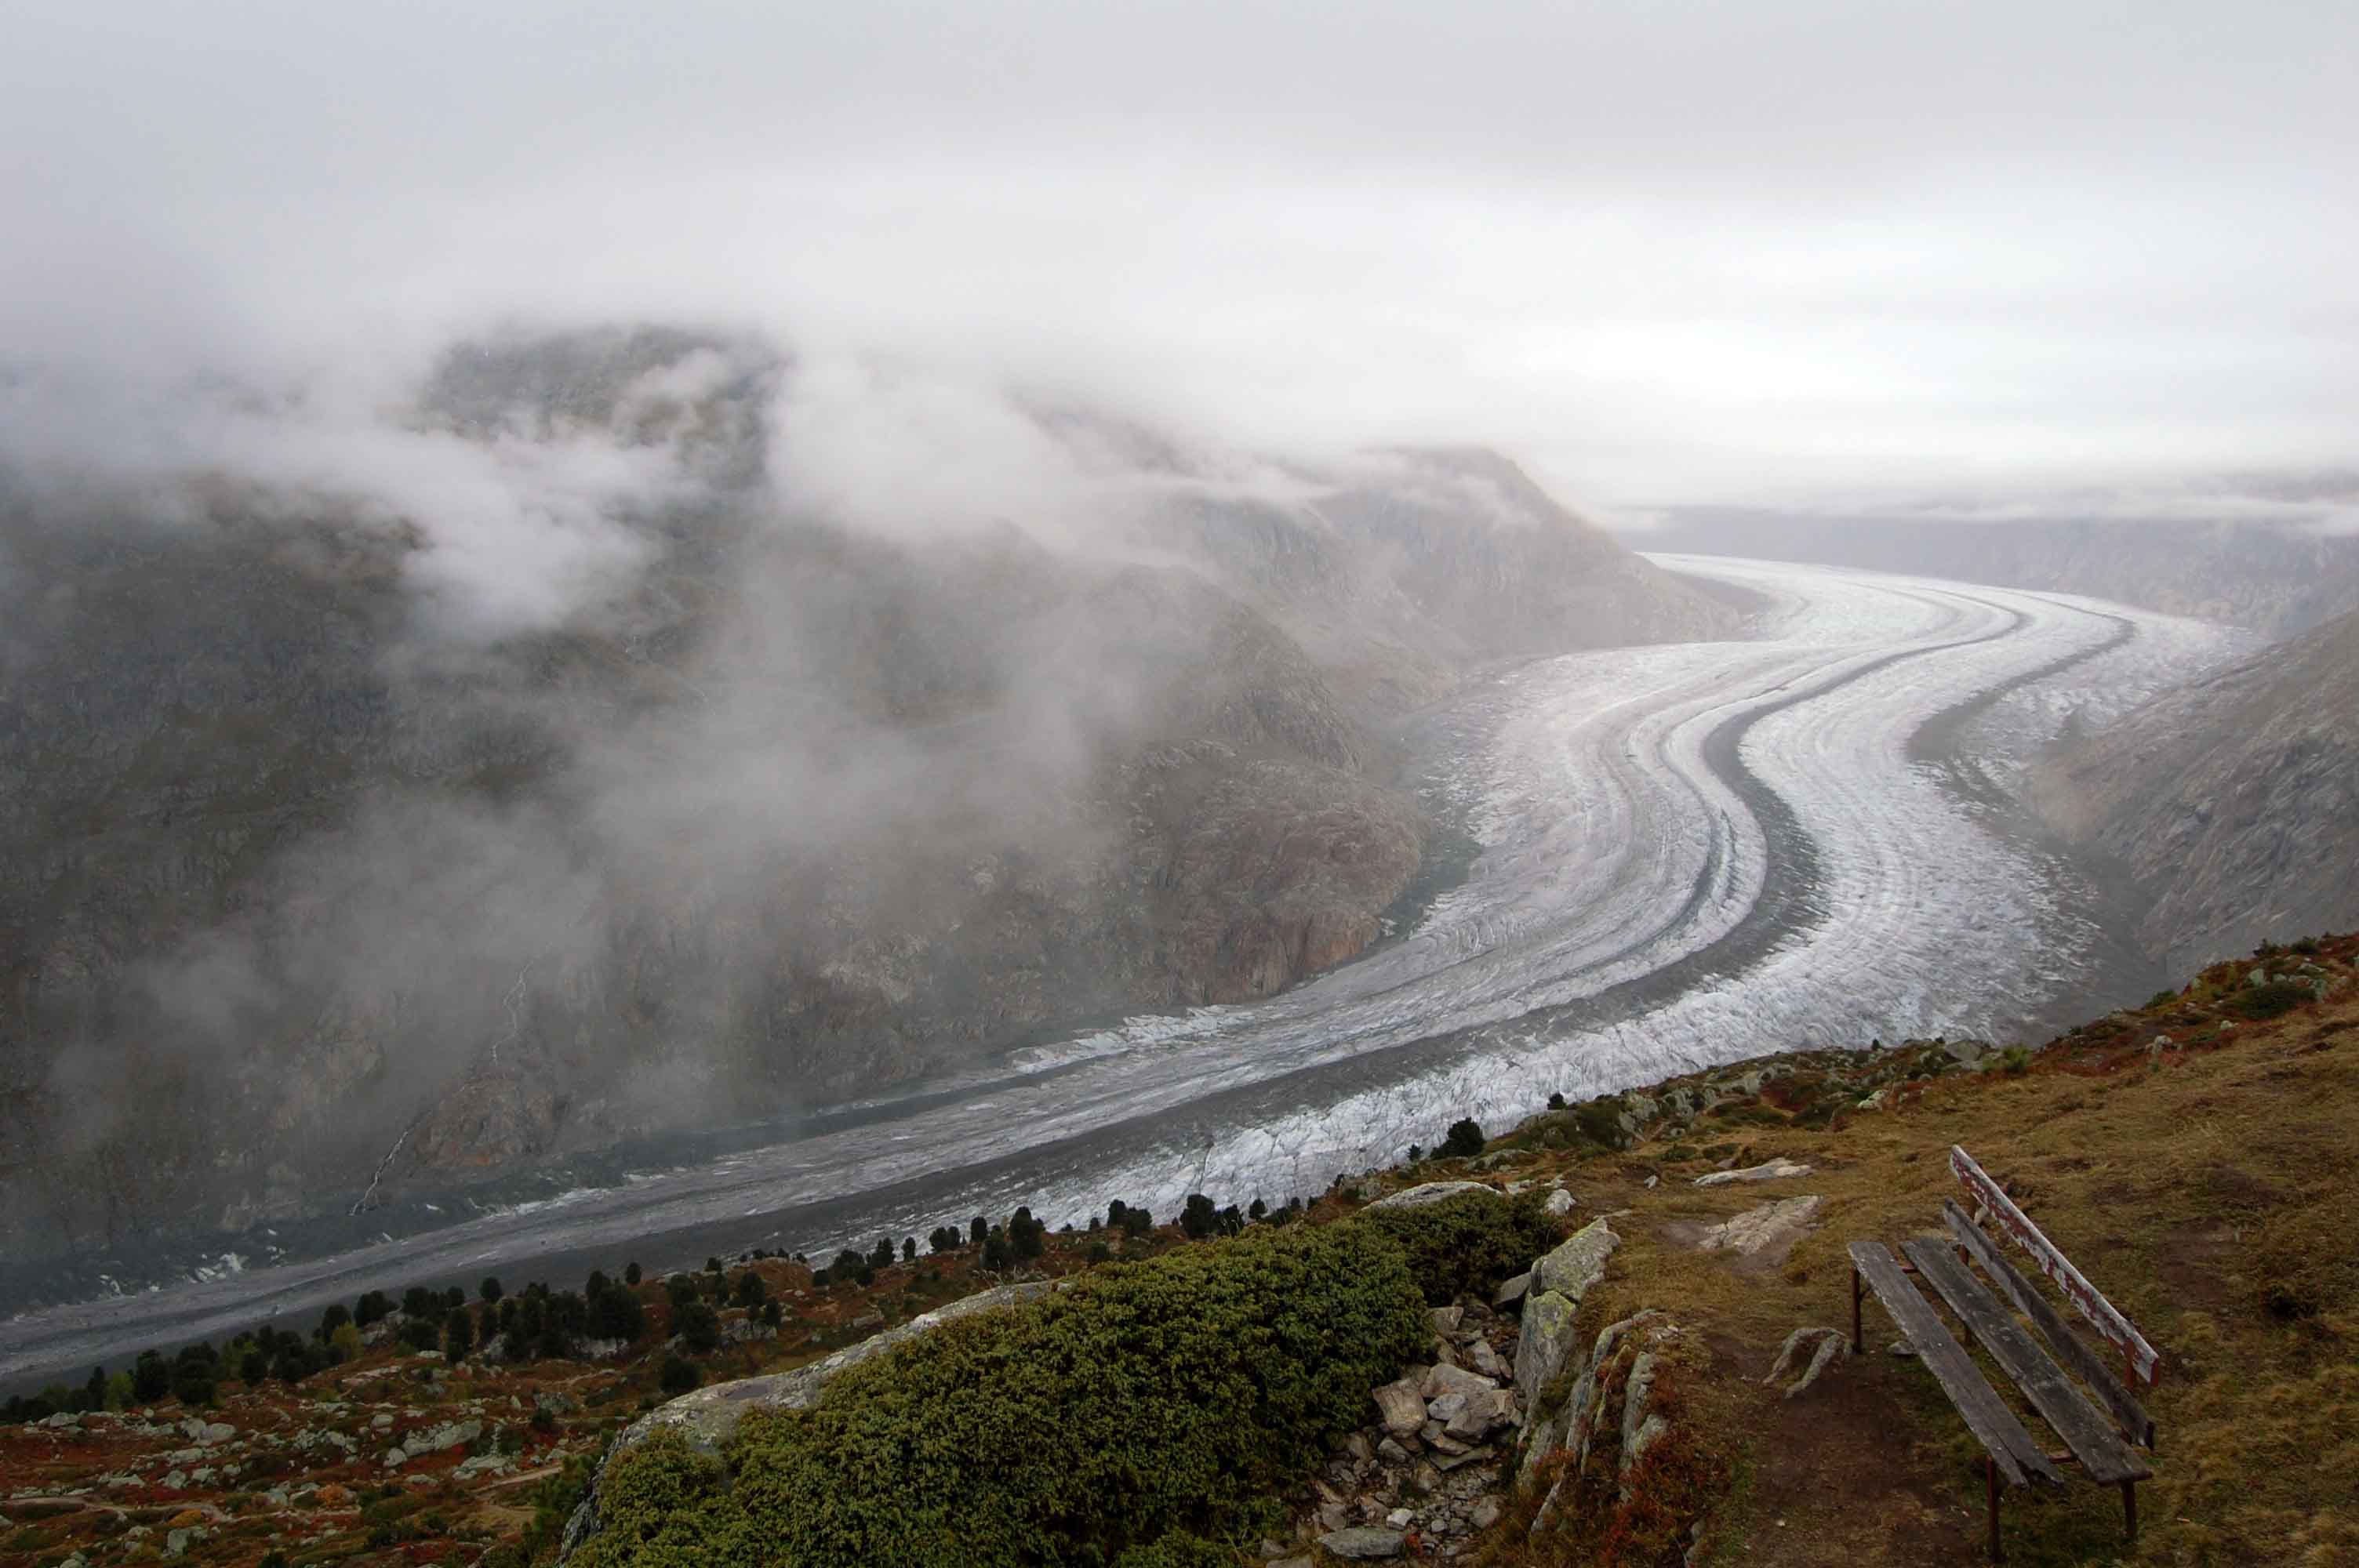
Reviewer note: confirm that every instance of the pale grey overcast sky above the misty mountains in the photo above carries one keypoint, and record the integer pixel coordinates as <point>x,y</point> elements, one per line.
<point>1664,253</point>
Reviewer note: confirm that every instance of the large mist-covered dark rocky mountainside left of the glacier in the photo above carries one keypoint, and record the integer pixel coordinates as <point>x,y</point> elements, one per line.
<point>548,763</point>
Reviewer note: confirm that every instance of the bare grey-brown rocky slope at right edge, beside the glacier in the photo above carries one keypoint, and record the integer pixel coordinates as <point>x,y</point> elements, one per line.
<point>2233,803</point>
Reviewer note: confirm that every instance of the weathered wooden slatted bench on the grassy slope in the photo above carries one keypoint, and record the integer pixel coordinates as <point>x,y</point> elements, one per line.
<point>2101,1447</point>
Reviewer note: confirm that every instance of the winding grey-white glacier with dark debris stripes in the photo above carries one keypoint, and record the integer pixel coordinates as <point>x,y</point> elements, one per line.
<point>1690,855</point>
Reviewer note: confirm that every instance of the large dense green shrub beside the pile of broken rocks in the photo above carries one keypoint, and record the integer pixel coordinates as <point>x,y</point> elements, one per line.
<point>1143,1404</point>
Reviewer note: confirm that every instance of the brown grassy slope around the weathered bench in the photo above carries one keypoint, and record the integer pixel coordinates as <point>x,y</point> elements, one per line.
<point>2207,1190</point>
